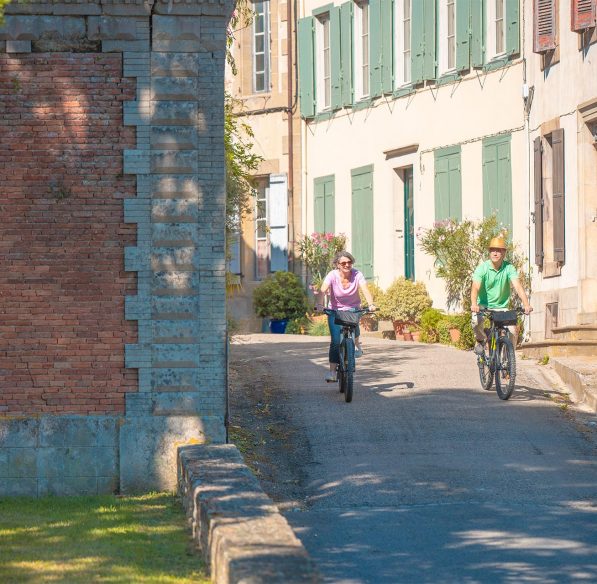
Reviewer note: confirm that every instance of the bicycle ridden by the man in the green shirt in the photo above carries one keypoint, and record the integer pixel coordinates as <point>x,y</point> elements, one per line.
<point>498,359</point>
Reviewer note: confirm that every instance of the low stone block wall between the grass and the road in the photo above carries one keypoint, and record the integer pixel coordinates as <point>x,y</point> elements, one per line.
<point>242,535</point>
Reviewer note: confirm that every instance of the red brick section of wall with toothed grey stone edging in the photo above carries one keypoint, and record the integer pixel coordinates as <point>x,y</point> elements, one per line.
<point>62,234</point>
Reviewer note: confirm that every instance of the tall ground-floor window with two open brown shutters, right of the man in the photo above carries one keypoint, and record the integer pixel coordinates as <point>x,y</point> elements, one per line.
<point>549,215</point>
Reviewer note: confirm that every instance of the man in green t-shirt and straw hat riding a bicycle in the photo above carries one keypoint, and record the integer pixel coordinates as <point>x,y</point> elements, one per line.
<point>491,289</point>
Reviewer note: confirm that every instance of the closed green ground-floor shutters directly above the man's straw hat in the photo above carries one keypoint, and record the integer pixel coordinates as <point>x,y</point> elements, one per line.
<point>497,180</point>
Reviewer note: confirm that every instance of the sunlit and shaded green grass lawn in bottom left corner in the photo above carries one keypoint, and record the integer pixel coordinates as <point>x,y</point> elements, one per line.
<point>97,539</point>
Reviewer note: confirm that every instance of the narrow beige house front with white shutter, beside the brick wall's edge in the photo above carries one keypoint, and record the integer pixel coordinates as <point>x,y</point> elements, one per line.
<point>266,99</point>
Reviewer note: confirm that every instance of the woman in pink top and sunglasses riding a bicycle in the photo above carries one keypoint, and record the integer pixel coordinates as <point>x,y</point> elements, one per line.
<point>343,284</point>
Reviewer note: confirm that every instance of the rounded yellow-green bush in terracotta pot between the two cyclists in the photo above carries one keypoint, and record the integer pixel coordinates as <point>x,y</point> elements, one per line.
<point>403,303</point>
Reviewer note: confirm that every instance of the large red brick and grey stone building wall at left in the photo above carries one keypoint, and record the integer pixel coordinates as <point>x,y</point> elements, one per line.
<point>112,287</point>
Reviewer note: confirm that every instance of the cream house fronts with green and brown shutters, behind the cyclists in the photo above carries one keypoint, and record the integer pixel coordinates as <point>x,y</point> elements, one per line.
<point>420,111</point>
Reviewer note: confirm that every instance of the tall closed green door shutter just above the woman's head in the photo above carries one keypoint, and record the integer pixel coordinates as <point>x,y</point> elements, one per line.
<point>362,219</point>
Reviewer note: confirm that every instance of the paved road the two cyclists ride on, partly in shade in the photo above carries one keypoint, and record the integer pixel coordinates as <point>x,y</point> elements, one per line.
<point>425,477</point>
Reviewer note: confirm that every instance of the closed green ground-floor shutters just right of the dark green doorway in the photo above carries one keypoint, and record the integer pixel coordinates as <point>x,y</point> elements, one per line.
<point>448,184</point>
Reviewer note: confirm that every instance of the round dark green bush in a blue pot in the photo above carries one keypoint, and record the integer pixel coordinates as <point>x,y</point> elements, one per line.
<point>280,298</point>
